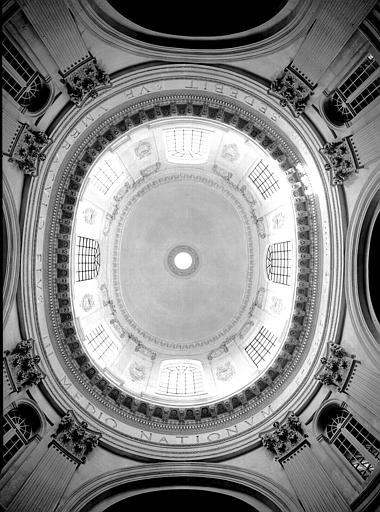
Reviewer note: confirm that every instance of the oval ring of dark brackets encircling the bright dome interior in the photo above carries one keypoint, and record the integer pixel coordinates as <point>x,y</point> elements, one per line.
<point>126,405</point>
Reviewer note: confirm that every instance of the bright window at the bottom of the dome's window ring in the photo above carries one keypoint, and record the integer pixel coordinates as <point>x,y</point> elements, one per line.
<point>181,379</point>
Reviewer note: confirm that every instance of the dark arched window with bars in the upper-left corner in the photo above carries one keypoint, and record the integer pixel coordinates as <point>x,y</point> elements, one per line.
<point>21,81</point>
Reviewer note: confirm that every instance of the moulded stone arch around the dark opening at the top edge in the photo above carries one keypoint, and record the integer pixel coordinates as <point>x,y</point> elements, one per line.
<point>121,32</point>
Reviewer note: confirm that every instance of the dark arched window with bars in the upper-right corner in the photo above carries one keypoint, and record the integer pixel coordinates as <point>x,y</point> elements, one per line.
<point>358,90</point>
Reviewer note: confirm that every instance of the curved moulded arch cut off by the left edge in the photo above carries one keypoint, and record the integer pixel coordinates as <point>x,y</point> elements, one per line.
<point>11,249</point>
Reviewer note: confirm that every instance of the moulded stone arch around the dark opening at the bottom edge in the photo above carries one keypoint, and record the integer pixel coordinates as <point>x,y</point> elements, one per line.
<point>115,486</point>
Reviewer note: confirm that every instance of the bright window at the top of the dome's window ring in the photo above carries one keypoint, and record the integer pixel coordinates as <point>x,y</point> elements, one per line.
<point>187,144</point>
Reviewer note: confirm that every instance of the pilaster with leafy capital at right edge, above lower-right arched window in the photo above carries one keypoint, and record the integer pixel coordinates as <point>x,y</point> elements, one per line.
<point>349,376</point>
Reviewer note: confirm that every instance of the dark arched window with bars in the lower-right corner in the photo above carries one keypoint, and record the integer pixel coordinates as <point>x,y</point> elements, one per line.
<point>355,443</point>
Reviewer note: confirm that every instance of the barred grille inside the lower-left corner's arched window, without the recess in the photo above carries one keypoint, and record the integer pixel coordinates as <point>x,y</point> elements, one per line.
<point>16,433</point>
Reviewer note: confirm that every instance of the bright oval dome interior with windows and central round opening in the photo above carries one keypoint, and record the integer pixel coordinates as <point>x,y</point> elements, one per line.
<point>185,258</point>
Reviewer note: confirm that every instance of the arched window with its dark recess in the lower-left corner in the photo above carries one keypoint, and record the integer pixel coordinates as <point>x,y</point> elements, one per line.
<point>19,426</point>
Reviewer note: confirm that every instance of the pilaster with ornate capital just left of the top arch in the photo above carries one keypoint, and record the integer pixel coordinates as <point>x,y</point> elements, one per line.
<point>56,27</point>
